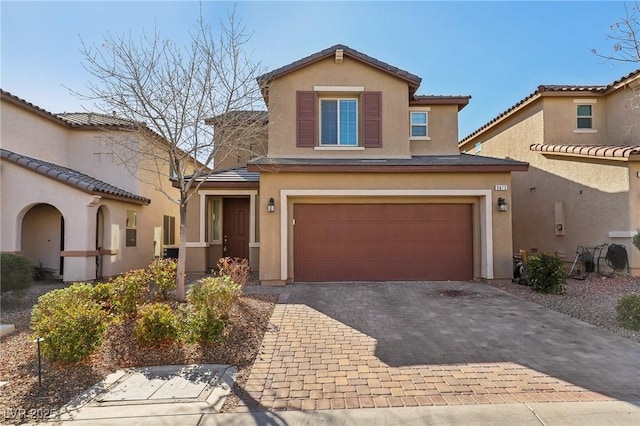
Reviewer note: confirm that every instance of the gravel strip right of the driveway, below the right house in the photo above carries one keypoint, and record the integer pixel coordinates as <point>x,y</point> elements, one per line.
<point>593,300</point>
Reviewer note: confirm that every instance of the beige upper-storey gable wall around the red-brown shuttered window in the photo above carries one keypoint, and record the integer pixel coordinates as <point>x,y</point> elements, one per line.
<point>282,108</point>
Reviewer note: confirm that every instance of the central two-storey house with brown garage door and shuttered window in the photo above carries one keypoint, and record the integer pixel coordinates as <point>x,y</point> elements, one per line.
<point>362,181</point>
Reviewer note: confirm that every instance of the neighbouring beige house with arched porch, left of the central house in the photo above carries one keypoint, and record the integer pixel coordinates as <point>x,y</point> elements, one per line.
<point>69,204</point>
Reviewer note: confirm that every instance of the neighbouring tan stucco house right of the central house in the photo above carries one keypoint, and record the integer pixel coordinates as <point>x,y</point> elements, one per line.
<point>583,183</point>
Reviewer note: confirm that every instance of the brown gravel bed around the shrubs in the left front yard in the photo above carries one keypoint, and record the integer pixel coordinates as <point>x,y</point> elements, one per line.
<point>60,383</point>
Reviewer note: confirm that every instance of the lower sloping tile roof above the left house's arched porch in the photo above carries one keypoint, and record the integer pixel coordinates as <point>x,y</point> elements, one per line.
<point>72,177</point>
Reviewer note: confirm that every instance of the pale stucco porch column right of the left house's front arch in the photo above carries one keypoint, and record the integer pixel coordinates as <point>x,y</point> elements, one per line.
<point>79,242</point>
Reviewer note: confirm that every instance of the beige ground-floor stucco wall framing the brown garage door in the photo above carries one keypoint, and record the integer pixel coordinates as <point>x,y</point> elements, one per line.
<point>273,183</point>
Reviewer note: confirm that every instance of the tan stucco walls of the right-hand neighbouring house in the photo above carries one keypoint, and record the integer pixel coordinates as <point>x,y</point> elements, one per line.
<point>599,198</point>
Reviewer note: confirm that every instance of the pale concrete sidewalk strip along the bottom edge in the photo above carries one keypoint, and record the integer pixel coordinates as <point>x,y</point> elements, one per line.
<point>612,413</point>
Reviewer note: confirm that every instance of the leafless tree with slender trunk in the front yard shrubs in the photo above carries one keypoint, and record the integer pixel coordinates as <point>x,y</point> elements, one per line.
<point>169,92</point>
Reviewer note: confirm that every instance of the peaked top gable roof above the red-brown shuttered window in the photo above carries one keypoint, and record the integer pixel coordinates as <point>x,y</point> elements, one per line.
<point>412,79</point>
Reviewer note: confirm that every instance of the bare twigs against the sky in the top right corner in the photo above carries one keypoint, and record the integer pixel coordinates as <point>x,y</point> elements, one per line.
<point>625,35</point>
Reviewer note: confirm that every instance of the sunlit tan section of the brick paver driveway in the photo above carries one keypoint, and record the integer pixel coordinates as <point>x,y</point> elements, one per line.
<point>311,361</point>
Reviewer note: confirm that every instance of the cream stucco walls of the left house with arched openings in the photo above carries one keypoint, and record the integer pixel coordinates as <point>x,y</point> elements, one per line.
<point>25,132</point>
